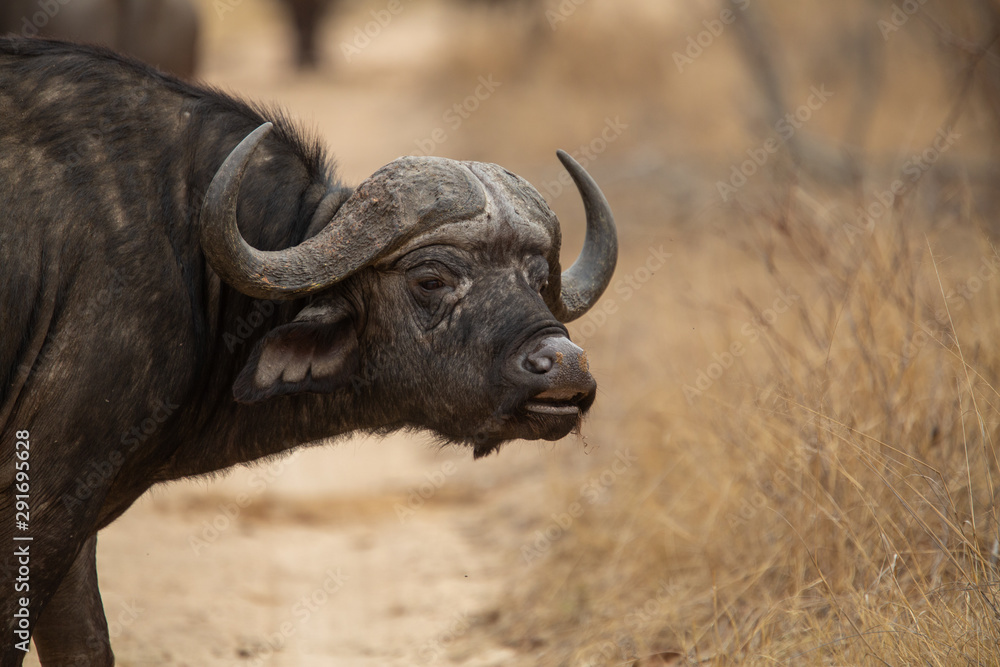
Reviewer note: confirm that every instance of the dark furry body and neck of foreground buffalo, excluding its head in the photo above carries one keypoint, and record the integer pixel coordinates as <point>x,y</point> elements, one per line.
<point>99,247</point>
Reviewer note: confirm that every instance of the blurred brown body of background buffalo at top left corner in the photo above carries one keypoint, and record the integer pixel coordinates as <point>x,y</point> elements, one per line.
<point>163,33</point>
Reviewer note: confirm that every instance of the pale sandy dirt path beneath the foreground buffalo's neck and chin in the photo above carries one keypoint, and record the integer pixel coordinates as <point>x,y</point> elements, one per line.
<point>363,553</point>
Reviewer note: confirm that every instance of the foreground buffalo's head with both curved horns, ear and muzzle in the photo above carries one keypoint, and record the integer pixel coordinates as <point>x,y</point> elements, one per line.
<point>434,299</point>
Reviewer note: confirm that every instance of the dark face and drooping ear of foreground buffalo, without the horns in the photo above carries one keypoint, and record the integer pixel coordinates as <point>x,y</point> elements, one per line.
<point>434,335</point>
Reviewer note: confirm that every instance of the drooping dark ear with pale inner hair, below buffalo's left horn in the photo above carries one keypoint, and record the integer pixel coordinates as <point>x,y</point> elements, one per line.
<point>316,352</point>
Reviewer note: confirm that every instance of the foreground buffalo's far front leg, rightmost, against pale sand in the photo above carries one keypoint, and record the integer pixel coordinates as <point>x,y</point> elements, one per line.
<point>72,629</point>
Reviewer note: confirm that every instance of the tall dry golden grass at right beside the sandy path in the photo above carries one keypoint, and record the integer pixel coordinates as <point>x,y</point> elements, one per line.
<point>834,505</point>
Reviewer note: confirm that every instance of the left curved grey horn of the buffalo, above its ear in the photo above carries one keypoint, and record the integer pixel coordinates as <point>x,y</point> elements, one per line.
<point>401,199</point>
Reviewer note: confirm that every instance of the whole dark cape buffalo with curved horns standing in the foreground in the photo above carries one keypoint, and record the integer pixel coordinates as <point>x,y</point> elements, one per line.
<point>186,286</point>
